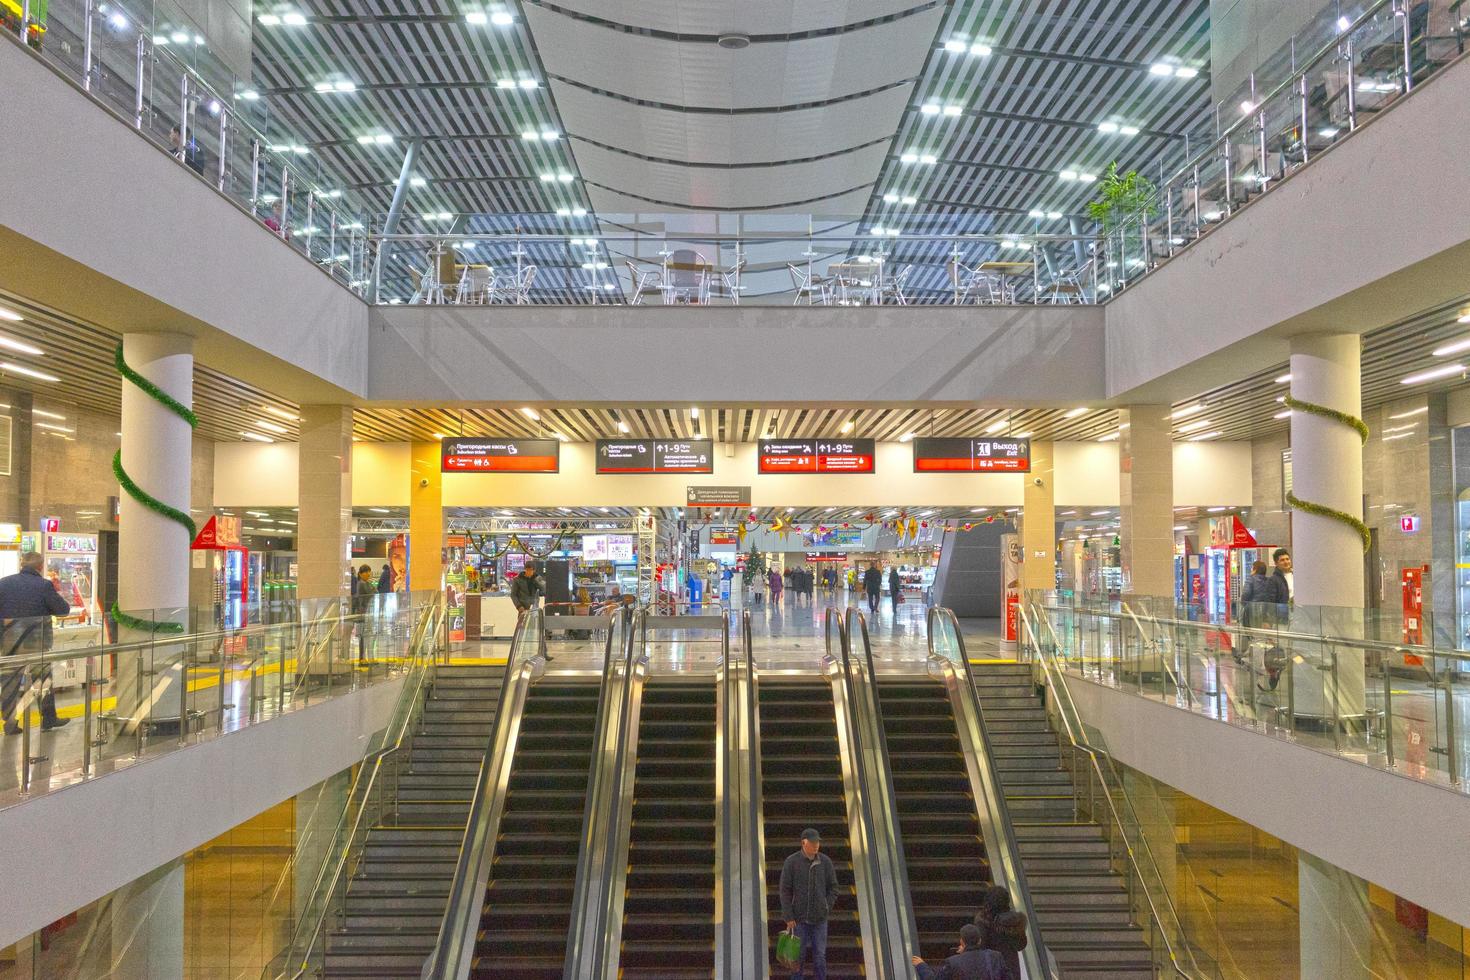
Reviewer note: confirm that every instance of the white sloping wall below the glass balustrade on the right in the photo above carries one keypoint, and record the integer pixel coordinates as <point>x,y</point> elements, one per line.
<point>1338,810</point>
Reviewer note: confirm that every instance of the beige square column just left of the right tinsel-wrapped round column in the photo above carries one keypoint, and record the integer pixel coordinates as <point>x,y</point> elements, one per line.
<point>1147,496</point>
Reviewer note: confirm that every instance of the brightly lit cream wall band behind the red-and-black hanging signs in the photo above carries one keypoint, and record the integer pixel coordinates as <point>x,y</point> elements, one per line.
<point>1206,474</point>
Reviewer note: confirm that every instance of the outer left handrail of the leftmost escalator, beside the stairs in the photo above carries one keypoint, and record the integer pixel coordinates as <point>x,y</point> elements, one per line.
<point>453,951</point>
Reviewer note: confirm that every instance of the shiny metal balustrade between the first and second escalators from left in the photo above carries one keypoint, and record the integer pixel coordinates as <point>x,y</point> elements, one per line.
<point>596,925</point>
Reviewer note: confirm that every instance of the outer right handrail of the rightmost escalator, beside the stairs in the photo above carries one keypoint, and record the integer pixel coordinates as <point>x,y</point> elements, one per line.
<point>990,799</point>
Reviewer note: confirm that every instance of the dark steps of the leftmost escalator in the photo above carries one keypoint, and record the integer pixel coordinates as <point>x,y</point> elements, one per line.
<point>528,901</point>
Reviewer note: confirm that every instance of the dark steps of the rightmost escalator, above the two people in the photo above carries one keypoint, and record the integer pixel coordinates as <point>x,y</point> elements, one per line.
<point>944,850</point>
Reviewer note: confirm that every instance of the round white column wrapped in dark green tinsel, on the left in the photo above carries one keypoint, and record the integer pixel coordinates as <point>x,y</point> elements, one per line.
<point>154,552</point>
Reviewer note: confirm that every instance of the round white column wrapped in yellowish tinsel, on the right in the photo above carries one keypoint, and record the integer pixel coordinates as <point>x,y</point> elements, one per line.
<point>1328,555</point>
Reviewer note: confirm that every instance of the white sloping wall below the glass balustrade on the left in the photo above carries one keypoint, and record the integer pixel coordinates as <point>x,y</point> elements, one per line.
<point>74,846</point>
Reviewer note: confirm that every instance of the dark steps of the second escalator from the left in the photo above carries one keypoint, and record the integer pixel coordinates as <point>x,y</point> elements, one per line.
<point>670,898</point>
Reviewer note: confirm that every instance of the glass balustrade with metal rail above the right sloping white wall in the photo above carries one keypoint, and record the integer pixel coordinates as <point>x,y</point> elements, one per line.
<point>1340,681</point>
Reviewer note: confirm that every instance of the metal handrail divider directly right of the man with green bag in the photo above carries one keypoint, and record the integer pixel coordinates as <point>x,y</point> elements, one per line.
<point>878,862</point>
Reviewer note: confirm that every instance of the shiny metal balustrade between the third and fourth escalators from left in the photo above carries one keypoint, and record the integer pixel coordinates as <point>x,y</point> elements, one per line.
<point>880,909</point>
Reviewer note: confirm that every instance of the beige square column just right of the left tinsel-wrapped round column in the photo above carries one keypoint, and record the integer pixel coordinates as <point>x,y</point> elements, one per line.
<point>326,497</point>
